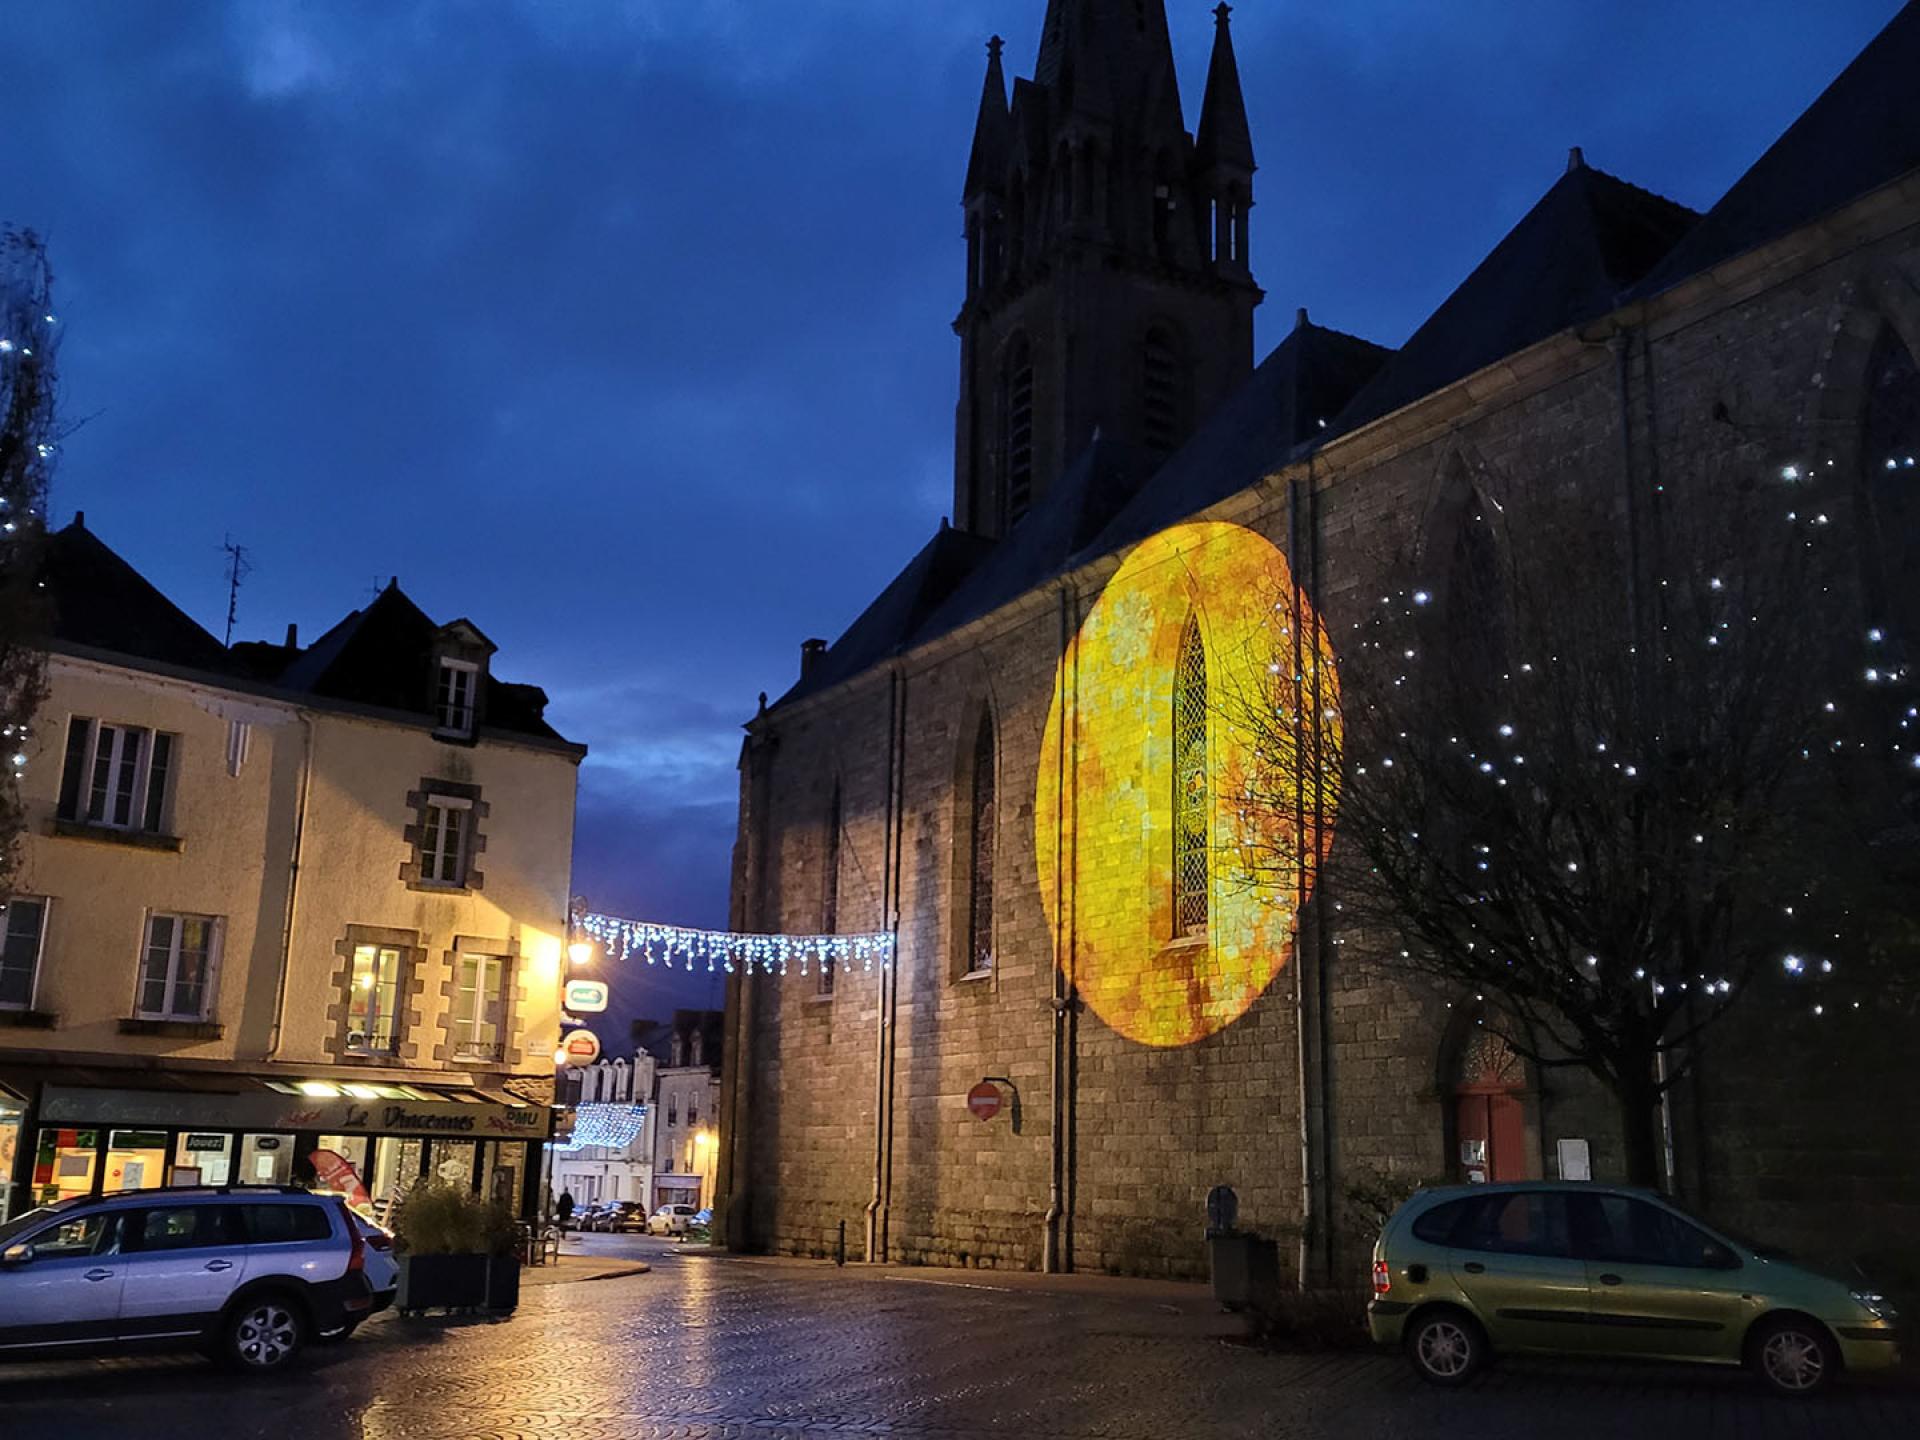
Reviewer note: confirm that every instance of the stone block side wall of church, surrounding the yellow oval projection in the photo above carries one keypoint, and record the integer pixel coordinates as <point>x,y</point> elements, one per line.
<point>1783,1147</point>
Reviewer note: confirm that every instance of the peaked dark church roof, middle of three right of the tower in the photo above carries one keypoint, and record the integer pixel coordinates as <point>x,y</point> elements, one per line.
<point>1570,260</point>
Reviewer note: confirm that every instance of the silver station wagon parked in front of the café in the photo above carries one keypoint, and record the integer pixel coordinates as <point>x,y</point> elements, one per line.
<point>249,1276</point>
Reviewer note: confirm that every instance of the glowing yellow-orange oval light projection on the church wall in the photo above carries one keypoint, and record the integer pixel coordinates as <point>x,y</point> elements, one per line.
<point>1172,942</point>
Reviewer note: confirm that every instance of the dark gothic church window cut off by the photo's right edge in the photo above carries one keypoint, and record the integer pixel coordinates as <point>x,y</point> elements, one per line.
<point>1892,454</point>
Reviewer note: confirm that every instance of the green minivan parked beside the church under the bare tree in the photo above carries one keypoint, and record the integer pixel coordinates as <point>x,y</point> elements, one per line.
<point>1468,1272</point>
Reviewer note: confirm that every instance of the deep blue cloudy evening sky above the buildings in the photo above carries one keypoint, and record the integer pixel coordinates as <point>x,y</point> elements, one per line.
<point>623,327</point>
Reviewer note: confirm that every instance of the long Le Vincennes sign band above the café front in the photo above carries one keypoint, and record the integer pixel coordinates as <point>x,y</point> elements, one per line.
<point>291,1113</point>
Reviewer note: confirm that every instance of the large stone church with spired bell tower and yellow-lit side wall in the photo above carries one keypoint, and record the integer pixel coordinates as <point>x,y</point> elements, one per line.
<point>1005,763</point>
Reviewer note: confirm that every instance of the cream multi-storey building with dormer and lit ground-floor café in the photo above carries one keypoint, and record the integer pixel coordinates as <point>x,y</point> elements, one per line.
<point>285,913</point>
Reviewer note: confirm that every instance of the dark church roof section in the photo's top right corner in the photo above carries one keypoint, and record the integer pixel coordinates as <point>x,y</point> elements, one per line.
<point>1861,133</point>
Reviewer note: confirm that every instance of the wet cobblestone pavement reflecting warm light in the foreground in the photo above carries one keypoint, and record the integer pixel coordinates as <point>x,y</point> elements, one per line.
<point>723,1349</point>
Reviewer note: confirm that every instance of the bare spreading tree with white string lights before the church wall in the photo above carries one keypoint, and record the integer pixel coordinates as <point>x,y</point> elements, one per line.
<point>1593,763</point>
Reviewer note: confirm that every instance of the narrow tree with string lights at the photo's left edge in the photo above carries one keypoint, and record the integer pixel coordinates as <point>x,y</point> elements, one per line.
<point>28,444</point>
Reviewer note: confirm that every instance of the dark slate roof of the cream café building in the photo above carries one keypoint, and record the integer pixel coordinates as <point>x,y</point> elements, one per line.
<point>377,658</point>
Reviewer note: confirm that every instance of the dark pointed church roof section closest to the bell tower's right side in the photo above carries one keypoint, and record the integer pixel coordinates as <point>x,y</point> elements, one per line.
<point>1308,379</point>
